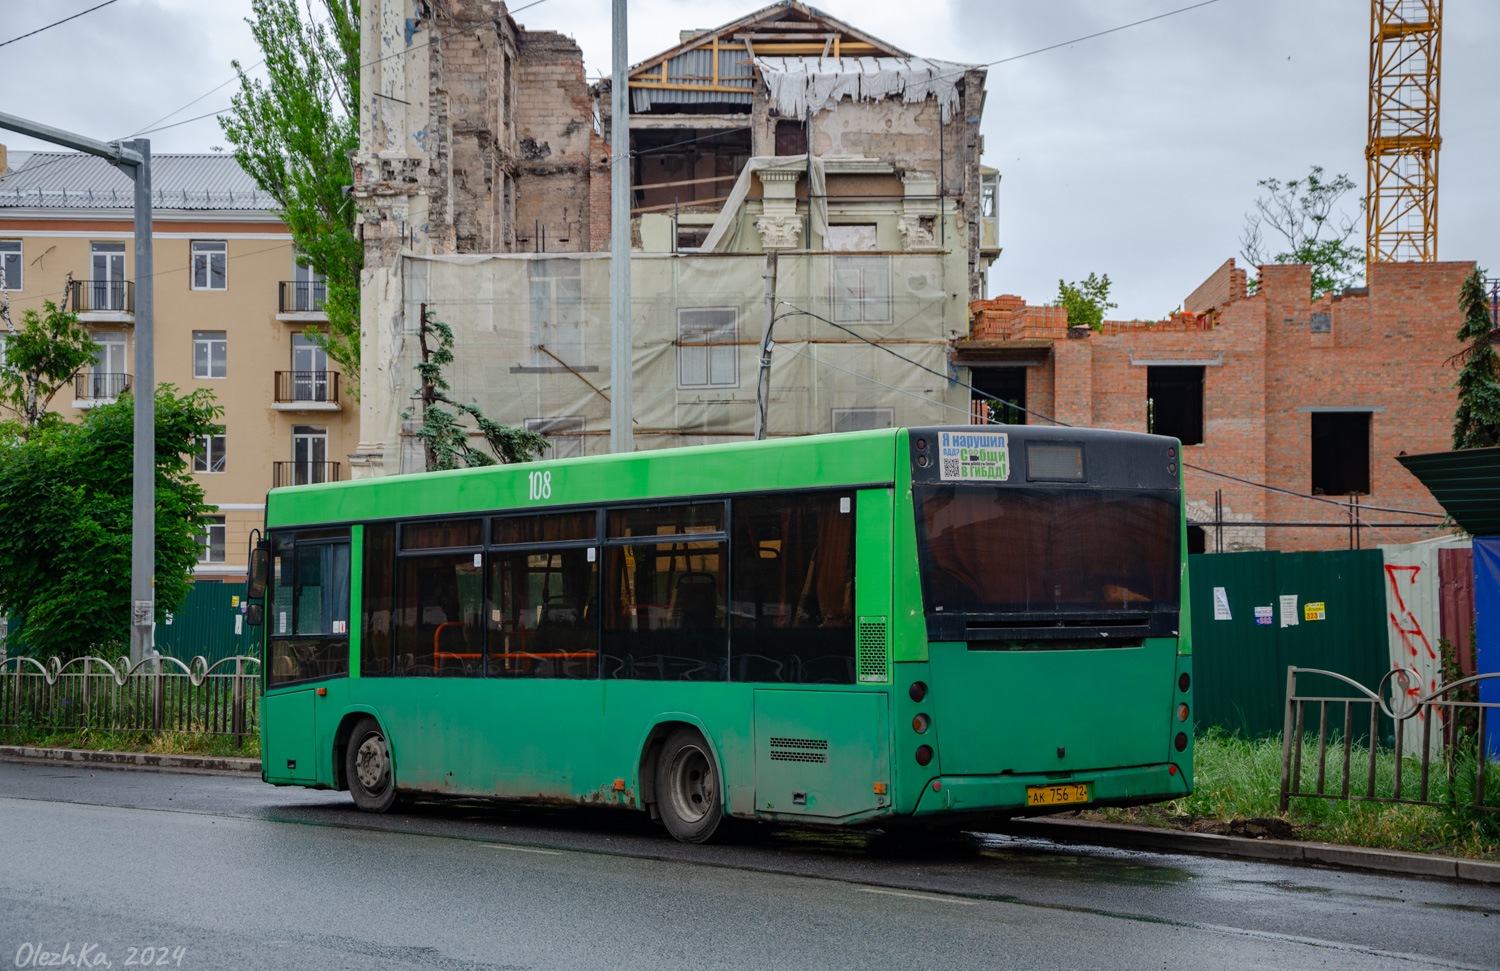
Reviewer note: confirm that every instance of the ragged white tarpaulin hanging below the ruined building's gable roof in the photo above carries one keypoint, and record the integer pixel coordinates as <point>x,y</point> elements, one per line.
<point>797,85</point>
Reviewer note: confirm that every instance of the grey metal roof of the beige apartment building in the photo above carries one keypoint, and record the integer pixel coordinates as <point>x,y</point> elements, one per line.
<point>77,181</point>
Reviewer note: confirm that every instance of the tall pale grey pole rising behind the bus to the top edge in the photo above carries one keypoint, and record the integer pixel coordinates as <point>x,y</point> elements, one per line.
<point>622,436</point>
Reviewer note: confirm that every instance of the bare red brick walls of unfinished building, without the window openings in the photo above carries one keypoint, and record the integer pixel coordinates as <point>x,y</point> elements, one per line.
<point>1265,371</point>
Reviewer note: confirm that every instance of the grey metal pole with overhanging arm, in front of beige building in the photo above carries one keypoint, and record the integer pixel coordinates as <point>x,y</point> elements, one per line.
<point>136,158</point>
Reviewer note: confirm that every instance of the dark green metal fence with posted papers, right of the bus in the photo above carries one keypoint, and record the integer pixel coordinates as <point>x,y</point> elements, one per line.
<point>1240,663</point>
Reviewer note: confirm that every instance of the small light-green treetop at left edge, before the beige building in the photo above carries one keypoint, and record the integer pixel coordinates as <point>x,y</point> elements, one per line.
<point>41,359</point>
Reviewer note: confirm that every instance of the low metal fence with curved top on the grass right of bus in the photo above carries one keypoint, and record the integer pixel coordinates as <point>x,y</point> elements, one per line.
<point>1387,771</point>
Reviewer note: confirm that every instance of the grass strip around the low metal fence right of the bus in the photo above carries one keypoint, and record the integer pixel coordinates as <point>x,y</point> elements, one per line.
<point>1240,780</point>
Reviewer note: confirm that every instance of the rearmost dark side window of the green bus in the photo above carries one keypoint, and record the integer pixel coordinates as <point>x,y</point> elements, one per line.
<point>793,595</point>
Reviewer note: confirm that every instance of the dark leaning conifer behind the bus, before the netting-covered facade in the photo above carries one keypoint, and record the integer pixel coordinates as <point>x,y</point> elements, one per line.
<point>443,434</point>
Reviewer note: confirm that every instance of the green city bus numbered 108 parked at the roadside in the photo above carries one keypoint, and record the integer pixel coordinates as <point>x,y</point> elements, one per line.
<point>898,627</point>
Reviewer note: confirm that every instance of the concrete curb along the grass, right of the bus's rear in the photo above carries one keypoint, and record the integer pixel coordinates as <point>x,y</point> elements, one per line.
<point>1274,850</point>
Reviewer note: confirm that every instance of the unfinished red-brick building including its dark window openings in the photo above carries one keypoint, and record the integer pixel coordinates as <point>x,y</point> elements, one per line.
<point>1313,398</point>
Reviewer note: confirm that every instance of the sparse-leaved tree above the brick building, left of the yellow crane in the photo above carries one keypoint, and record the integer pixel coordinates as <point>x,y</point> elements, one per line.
<point>1309,218</point>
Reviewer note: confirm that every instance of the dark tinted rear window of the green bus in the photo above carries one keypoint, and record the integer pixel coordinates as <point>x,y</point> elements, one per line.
<point>998,550</point>
